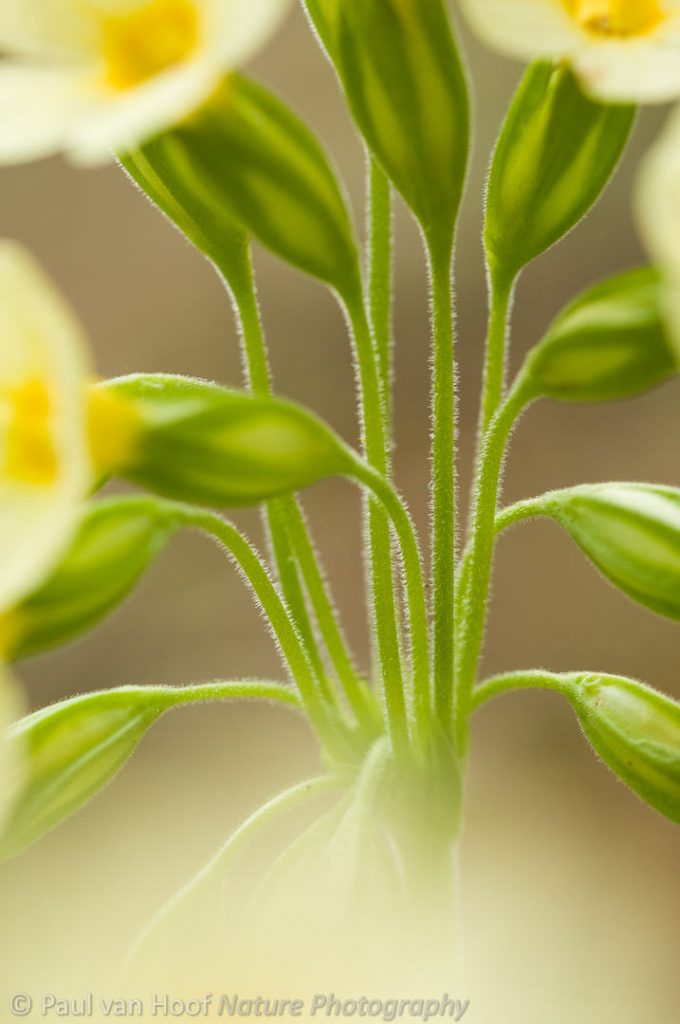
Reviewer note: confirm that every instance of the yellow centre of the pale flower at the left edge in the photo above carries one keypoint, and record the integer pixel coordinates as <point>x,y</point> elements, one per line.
<point>31,455</point>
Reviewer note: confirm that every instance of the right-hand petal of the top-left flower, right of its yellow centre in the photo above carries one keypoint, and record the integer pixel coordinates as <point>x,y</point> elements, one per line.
<point>238,29</point>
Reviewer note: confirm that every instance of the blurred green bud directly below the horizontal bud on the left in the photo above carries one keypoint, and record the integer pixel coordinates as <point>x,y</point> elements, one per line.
<point>116,542</point>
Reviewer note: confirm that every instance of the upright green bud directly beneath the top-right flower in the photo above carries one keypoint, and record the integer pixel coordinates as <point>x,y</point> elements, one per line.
<point>556,154</point>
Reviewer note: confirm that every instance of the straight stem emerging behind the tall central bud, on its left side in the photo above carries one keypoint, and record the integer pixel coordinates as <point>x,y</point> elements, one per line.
<point>380,279</point>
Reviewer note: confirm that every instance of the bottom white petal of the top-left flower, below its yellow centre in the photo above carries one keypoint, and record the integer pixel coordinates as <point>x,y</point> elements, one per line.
<point>120,121</point>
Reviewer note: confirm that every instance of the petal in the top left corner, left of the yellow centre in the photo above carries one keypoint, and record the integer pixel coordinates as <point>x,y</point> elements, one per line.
<point>49,28</point>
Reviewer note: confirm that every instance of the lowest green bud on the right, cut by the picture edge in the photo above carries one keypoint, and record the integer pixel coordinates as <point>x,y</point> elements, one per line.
<point>636,733</point>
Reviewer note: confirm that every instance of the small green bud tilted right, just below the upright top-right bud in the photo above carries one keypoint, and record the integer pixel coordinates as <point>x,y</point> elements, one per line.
<point>610,344</point>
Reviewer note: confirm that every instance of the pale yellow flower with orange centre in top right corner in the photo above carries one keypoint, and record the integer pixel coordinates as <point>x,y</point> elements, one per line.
<point>622,51</point>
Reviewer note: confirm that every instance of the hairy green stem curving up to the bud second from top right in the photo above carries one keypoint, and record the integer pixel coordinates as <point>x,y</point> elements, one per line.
<point>480,558</point>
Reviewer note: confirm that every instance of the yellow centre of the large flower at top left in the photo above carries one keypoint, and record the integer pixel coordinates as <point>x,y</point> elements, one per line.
<point>152,38</point>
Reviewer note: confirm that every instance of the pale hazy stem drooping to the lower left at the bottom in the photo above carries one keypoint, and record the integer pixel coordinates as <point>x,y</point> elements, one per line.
<point>230,851</point>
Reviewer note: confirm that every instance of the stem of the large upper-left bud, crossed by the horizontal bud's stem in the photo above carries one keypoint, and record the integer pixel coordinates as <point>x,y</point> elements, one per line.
<point>382,581</point>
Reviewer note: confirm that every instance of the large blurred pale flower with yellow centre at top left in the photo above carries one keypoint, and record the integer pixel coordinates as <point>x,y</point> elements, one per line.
<point>89,76</point>
